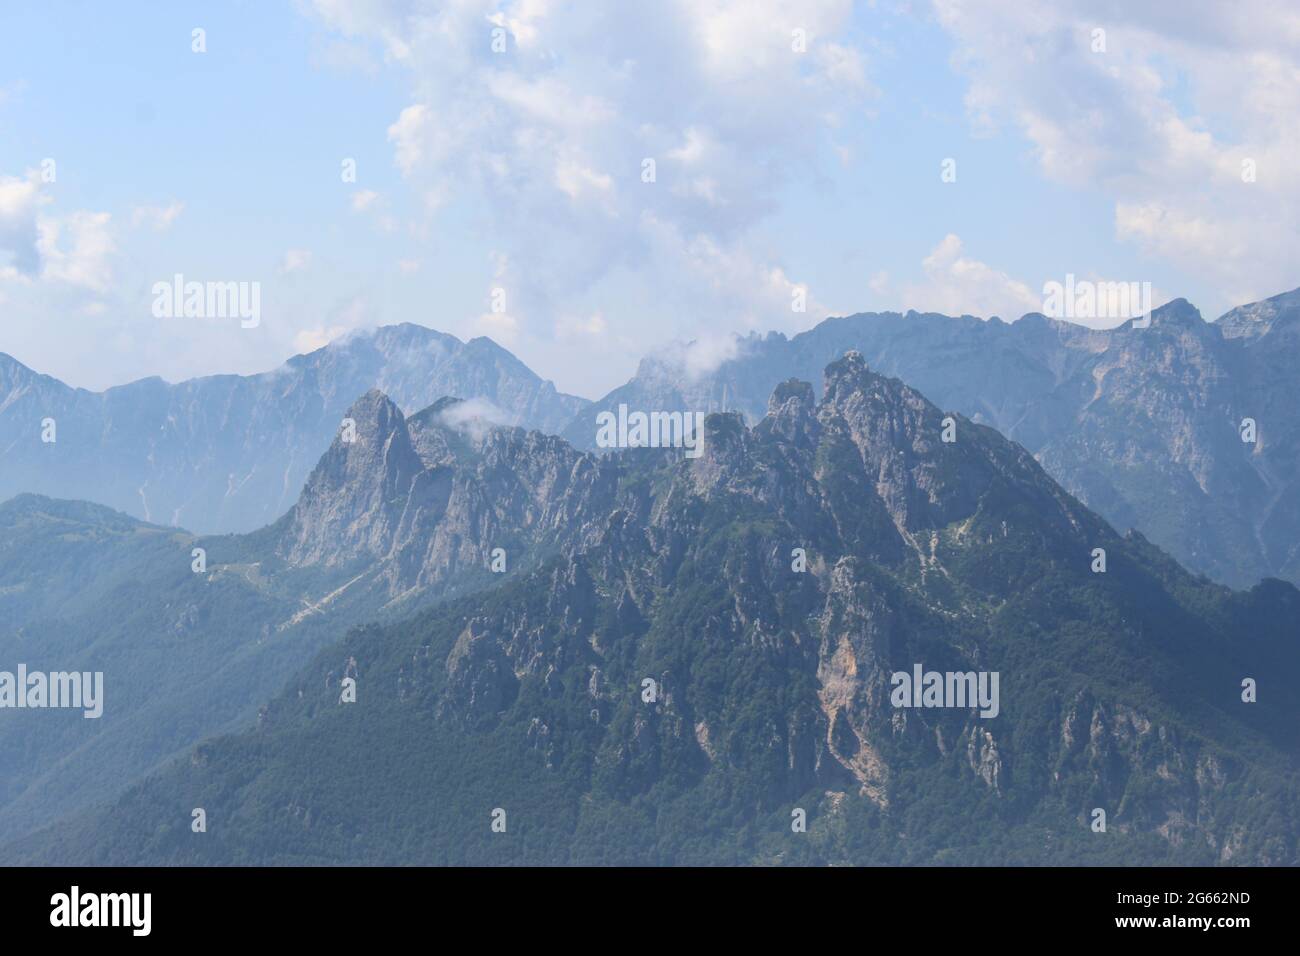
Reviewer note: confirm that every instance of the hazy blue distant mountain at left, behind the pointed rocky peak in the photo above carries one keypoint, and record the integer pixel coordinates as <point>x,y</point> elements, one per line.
<point>231,453</point>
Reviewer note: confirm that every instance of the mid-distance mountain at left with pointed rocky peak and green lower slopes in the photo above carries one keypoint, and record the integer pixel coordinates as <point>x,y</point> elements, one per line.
<point>398,514</point>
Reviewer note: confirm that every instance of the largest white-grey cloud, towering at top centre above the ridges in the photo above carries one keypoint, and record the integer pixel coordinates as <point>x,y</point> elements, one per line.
<point>547,142</point>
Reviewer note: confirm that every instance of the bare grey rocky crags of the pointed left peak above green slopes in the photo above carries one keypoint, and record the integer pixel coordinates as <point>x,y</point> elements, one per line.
<point>418,503</point>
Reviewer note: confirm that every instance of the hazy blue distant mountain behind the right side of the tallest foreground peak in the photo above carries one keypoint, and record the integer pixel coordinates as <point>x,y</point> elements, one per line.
<point>1143,425</point>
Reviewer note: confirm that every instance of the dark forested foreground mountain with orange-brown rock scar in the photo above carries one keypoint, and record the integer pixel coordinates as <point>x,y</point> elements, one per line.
<point>714,648</point>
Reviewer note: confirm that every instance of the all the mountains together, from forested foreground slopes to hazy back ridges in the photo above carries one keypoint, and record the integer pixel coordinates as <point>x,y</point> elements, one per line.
<point>643,656</point>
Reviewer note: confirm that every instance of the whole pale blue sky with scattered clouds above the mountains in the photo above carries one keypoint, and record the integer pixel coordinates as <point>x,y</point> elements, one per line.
<point>484,168</point>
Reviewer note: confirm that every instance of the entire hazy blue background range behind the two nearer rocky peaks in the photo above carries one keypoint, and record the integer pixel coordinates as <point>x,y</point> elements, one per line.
<point>1143,425</point>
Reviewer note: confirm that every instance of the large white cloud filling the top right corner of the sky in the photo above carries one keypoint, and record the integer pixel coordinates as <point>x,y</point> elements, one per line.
<point>1160,123</point>
